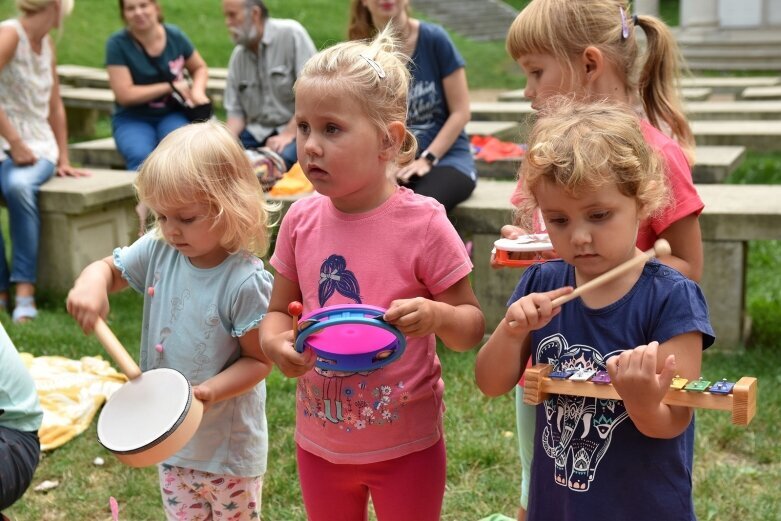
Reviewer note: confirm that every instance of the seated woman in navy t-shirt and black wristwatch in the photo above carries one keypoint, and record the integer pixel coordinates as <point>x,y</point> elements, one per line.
<point>438,100</point>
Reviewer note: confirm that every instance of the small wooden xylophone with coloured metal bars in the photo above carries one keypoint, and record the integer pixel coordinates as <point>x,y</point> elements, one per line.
<point>740,398</point>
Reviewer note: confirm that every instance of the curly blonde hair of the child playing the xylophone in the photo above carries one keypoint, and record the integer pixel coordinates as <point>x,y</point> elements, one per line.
<point>582,146</point>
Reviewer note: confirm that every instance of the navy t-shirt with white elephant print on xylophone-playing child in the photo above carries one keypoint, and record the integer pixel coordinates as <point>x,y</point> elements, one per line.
<point>590,461</point>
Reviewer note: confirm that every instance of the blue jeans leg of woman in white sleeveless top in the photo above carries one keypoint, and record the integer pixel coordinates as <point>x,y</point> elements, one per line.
<point>20,186</point>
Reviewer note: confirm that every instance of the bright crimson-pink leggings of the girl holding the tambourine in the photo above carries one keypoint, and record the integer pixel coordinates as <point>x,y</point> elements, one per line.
<point>410,487</point>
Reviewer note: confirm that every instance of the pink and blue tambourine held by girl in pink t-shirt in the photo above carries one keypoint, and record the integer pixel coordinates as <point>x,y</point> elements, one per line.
<point>350,337</point>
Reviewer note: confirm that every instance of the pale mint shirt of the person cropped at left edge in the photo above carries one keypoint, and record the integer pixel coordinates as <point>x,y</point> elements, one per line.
<point>19,406</point>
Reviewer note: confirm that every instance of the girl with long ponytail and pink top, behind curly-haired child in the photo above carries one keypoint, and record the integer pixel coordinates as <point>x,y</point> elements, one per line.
<point>589,50</point>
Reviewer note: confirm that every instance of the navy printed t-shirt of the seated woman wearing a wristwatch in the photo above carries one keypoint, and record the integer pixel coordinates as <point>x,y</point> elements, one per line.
<point>435,57</point>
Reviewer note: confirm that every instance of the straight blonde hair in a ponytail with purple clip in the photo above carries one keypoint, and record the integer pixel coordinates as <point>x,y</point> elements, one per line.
<point>565,28</point>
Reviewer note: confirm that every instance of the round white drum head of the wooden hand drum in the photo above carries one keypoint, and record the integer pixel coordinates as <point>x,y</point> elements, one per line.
<point>144,411</point>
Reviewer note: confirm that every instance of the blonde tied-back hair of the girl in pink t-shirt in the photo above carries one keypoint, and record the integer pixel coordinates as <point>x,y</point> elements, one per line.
<point>373,73</point>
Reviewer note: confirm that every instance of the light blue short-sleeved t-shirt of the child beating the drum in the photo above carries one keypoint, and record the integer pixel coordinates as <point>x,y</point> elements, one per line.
<point>198,315</point>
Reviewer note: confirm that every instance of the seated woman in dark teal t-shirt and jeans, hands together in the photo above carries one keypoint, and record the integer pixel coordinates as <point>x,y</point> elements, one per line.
<point>144,115</point>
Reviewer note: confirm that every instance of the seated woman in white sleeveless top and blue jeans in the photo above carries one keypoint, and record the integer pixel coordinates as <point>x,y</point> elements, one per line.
<point>33,138</point>
